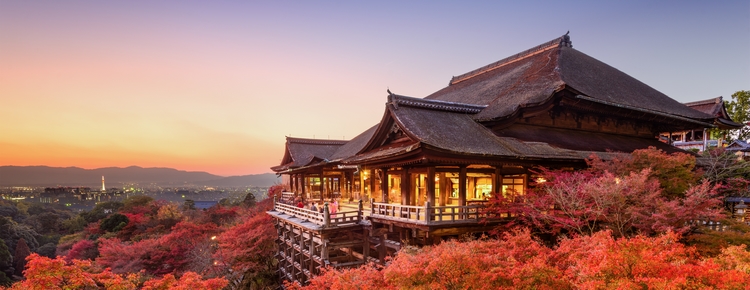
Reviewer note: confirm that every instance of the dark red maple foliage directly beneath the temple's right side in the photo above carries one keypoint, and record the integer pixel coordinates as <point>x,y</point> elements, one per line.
<point>585,202</point>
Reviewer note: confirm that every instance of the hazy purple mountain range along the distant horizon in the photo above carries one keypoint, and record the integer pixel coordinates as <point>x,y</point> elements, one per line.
<point>74,176</point>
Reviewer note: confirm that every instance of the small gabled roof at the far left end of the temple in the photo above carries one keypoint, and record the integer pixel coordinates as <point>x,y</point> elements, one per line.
<point>301,151</point>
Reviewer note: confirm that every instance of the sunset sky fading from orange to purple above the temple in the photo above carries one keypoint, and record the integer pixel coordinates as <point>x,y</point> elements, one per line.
<point>216,85</point>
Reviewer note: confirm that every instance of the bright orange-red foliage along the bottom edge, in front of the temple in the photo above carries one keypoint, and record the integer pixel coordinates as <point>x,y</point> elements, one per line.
<point>517,261</point>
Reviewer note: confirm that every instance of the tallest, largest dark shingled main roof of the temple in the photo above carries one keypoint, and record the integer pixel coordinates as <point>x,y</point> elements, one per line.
<point>532,77</point>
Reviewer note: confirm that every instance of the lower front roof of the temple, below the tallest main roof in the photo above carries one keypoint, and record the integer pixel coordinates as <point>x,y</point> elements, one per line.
<point>451,127</point>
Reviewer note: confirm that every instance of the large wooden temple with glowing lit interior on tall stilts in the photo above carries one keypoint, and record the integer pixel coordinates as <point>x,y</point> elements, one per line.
<point>425,171</point>
